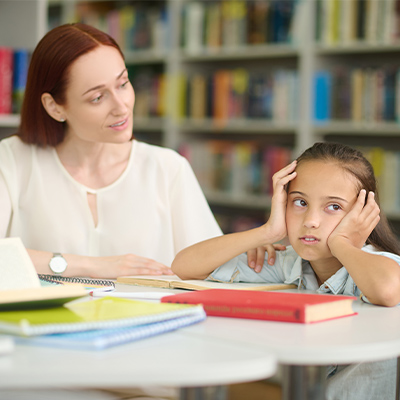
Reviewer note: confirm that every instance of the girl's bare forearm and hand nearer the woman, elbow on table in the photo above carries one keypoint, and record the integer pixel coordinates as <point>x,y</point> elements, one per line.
<point>199,260</point>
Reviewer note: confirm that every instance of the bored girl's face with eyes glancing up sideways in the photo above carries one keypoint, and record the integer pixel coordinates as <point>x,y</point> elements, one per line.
<point>318,198</point>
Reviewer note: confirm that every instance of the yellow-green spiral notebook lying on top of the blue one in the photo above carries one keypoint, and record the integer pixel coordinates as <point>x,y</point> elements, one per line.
<point>103,313</point>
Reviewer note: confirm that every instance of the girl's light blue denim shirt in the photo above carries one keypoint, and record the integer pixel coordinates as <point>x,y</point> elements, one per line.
<point>292,269</point>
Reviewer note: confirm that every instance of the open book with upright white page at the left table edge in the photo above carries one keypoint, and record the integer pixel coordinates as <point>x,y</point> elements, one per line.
<point>20,286</point>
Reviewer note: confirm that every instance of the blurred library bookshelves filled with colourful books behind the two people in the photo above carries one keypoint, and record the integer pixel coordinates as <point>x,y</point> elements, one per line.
<point>239,88</point>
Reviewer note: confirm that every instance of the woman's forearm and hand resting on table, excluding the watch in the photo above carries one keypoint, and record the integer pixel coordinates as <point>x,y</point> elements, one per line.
<point>100,267</point>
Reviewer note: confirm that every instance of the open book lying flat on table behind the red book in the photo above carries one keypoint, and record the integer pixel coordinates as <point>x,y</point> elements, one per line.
<point>174,282</point>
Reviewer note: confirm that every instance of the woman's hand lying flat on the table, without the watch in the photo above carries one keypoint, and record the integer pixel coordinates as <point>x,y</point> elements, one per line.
<point>129,264</point>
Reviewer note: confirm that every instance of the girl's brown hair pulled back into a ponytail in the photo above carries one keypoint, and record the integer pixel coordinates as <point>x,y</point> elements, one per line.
<point>354,162</point>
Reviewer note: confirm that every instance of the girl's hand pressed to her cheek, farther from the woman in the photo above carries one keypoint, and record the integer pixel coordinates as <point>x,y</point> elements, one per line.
<point>358,224</point>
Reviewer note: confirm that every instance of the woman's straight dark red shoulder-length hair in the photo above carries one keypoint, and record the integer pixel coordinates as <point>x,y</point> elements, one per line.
<point>49,73</point>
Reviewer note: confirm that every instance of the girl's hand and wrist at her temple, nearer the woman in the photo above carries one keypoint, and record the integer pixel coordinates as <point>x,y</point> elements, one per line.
<point>276,225</point>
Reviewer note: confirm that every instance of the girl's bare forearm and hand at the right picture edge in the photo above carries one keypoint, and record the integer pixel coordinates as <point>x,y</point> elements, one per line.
<point>377,276</point>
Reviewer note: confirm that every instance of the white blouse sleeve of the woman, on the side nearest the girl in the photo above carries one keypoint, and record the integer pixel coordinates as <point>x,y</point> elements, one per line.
<point>192,219</point>
